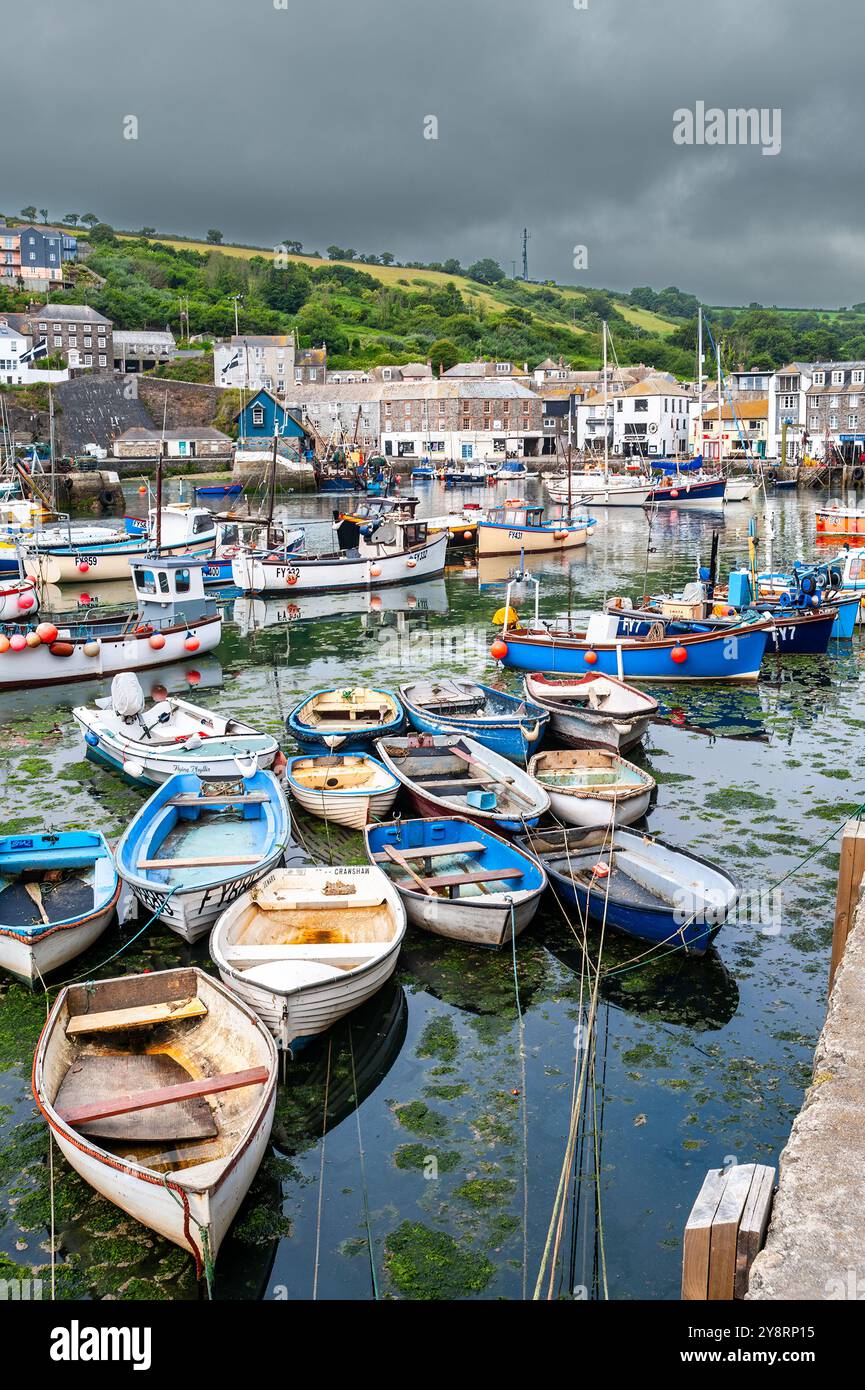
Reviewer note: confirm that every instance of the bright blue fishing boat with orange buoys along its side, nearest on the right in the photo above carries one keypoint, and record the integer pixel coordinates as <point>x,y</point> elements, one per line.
<point>601,647</point>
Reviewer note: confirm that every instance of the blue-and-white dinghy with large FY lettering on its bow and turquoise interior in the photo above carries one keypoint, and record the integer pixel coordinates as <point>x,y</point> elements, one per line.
<point>197,846</point>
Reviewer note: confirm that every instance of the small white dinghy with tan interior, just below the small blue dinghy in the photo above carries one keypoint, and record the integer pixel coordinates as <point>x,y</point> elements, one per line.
<point>351,789</point>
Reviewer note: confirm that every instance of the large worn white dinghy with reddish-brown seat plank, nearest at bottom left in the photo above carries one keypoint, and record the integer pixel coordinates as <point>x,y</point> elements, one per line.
<point>161,1092</point>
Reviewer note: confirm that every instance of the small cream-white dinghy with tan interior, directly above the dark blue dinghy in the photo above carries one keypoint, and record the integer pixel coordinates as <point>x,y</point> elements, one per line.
<point>593,787</point>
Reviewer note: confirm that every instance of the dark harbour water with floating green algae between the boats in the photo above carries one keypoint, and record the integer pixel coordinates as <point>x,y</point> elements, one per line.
<point>419,1146</point>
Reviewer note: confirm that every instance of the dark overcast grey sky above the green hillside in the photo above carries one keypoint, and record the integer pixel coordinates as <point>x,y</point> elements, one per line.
<point>308,123</point>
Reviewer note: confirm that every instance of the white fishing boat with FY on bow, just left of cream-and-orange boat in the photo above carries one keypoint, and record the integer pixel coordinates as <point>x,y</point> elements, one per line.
<point>372,557</point>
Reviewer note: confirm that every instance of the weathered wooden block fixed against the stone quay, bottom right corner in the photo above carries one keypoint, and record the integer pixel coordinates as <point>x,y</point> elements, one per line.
<point>725,1232</point>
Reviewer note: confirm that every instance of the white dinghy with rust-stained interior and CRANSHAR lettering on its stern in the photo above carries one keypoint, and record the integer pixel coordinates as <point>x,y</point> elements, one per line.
<point>308,946</point>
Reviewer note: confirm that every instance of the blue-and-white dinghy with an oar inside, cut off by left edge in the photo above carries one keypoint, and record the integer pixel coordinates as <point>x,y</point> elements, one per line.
<point>58,896</point>
